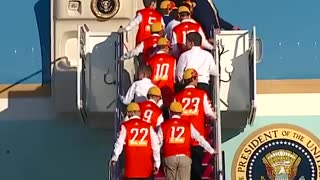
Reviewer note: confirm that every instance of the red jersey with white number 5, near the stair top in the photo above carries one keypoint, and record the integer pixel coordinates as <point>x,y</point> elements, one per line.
<point>149,16</point>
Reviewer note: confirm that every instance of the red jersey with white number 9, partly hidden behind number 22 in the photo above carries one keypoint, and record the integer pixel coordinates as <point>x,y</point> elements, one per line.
<point>150,113</point>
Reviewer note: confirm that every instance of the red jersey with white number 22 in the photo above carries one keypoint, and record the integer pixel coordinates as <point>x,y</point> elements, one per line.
<point>138,150</point>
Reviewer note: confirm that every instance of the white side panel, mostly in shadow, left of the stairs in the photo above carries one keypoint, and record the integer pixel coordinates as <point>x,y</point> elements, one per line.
<point>96,71</point>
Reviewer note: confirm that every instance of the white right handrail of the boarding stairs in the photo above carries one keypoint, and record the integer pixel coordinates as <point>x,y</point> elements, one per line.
<point>217,125</point>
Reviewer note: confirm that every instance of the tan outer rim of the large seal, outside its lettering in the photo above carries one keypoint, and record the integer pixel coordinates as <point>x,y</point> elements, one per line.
<point>261,130</point>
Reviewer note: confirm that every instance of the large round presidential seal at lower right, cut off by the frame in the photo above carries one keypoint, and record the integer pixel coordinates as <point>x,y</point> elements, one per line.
<point>278,152</point>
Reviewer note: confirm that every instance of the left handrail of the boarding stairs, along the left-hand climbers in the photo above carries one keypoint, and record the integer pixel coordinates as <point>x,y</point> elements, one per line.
<point>114,171</point>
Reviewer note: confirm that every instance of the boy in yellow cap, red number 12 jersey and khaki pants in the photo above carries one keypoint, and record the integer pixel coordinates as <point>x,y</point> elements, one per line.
<point>176,136</point>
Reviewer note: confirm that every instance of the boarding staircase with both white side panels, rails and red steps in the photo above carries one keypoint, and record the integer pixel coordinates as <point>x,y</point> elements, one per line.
<point>235,89</point>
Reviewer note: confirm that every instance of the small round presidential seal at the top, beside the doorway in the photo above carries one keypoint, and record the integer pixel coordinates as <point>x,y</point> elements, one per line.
<point>105,9</point>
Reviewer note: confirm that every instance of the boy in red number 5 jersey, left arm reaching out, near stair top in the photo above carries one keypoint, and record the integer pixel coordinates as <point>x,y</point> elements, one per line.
<point>144,18</point>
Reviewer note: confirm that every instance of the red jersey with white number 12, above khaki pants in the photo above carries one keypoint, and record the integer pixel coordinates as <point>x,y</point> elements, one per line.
<point>176,137</point>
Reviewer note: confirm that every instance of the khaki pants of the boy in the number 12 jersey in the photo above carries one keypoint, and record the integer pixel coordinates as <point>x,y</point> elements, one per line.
<point>177,167</point>
